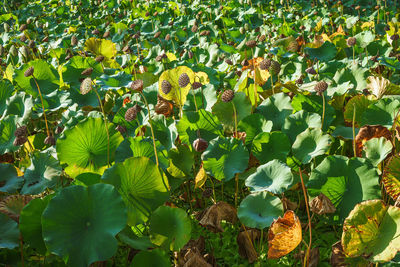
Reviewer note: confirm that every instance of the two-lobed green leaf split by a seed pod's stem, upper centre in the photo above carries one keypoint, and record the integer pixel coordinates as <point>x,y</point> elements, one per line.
<point>226,114</point>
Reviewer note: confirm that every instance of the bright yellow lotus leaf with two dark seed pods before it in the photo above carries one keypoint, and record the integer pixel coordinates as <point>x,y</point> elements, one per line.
<point>177,94</point>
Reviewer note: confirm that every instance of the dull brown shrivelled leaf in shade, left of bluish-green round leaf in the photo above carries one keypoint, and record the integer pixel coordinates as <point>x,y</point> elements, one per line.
<point>212,216</point>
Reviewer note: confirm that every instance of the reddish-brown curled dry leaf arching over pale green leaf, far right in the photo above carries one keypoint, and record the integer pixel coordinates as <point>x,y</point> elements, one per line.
<point>368,132</point>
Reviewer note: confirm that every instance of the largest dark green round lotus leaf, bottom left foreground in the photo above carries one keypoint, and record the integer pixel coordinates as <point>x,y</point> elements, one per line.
<point>80,223</point>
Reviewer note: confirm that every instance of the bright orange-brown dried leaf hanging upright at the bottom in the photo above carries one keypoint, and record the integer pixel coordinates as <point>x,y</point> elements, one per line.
<point>284,235</point>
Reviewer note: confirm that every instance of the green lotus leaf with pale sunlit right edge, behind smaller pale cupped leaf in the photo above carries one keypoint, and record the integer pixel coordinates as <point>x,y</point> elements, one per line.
<point>298,122</point>
